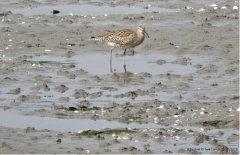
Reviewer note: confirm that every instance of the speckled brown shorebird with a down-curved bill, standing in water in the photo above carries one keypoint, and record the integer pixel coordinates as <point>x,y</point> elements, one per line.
<point>124,39</point>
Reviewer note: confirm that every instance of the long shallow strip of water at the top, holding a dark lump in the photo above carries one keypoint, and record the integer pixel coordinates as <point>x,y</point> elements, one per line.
<point>86,10</point>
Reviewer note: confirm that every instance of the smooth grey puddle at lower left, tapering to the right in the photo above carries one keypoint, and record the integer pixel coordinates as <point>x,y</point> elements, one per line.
<point>64,125</point>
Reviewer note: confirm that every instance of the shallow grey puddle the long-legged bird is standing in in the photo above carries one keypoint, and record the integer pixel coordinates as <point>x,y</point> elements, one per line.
<point>99,64</point>
